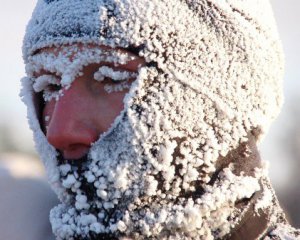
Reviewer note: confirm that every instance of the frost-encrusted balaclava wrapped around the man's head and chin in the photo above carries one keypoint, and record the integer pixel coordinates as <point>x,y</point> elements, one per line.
<point>212,76</point>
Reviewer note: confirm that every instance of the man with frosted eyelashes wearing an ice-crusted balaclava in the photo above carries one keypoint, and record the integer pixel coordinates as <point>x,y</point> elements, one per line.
<point>148,114</point>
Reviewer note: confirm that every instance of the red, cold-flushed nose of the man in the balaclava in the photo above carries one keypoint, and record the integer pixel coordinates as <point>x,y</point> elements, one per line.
<point>69,127</point>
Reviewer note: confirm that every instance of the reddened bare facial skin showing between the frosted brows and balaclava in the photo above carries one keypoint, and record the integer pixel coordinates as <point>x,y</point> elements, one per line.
<point>86,109</point>
